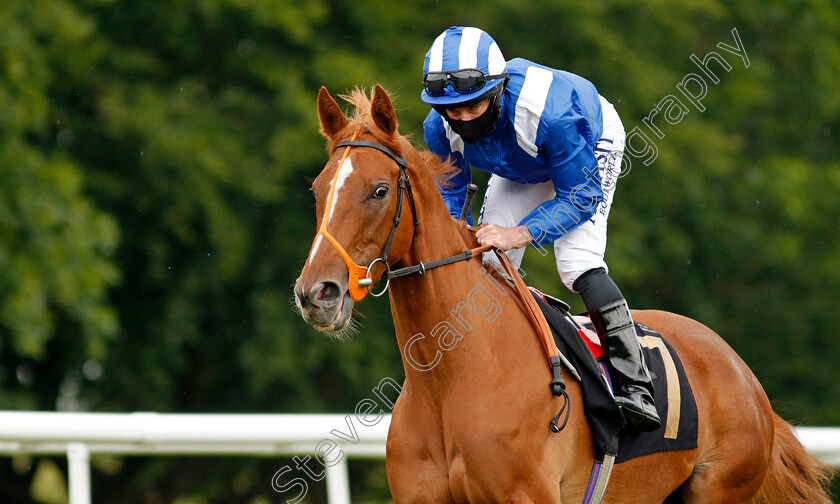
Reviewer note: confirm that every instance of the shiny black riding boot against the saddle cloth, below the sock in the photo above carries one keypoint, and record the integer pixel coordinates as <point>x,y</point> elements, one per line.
<point>634,393</point>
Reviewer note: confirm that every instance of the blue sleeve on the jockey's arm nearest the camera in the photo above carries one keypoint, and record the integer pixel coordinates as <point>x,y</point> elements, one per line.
<point>576,184</point>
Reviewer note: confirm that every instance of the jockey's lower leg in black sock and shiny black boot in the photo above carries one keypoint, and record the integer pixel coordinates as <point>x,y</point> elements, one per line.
<point>614,324</point>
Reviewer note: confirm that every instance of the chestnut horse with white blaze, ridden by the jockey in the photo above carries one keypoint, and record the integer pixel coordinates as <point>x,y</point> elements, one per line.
<point>472,424</point>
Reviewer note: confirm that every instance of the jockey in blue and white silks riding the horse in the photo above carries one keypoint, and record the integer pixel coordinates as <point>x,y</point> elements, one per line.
<point>554,148</point>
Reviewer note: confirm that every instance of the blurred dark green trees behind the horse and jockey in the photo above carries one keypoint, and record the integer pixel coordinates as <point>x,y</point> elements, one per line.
<point>155,159</point>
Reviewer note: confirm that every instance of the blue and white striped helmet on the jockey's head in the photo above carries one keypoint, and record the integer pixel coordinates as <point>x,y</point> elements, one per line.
<point>462,47</point>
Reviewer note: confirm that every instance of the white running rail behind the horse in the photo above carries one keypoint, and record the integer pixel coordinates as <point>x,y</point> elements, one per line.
<point>78,435</point>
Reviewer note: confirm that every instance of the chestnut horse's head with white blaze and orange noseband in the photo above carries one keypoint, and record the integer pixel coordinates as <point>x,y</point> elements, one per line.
<point>361,200</point>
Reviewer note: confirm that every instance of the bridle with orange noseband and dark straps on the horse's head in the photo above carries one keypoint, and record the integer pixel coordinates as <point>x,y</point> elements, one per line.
<point>360,281</point>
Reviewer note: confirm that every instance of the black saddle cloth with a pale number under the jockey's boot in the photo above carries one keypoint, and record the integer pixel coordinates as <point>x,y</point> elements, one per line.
<point>672,393</point>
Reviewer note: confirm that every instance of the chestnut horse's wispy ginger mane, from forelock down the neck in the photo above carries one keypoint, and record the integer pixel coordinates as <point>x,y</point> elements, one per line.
<point>442,171</point>
